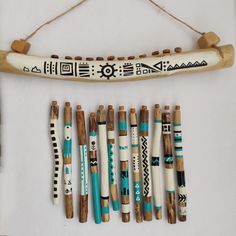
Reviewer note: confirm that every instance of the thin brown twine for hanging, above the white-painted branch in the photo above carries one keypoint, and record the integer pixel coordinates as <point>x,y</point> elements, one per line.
<point>82,1</point>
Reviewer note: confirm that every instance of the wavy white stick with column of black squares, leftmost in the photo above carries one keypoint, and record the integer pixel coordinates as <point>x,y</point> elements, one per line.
<point>58,158</point>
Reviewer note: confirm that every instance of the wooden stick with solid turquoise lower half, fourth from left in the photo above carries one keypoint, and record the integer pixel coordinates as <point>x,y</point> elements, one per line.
<point>94,167</point>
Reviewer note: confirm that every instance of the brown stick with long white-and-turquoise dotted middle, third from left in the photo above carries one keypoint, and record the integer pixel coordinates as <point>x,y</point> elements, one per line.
<point>82,138</point>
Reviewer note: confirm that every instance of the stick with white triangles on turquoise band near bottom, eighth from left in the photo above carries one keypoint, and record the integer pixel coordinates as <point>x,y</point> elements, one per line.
<point>136,167</point>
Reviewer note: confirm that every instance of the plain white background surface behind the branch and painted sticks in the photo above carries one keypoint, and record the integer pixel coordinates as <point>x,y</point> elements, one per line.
<point>122,28</point>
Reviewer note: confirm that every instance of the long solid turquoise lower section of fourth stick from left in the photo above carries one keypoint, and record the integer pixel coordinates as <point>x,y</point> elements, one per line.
<point>96,198</point>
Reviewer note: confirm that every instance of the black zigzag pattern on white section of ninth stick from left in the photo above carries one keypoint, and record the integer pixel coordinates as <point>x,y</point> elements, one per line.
<point>146,173</point>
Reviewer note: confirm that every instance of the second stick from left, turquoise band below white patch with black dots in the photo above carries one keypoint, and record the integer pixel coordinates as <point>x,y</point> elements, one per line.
<point>68,160</point>
